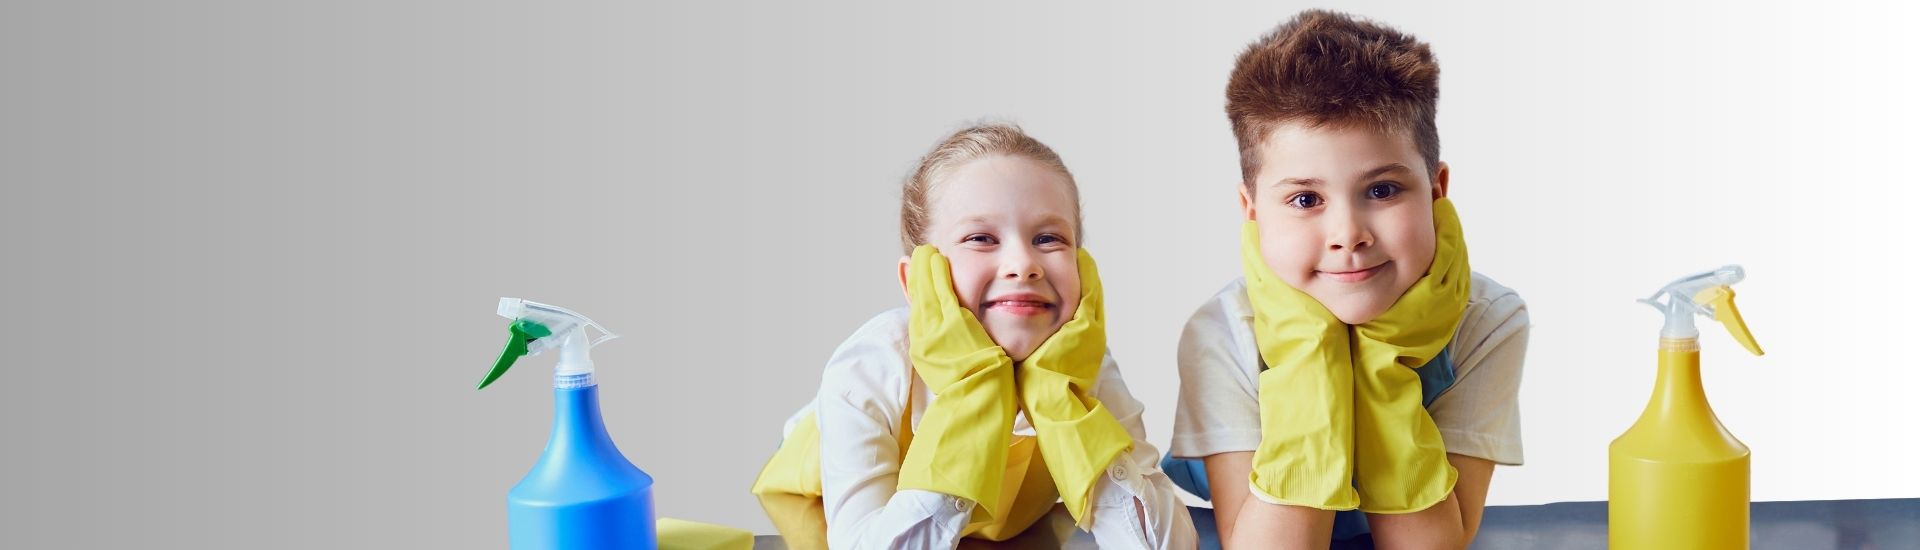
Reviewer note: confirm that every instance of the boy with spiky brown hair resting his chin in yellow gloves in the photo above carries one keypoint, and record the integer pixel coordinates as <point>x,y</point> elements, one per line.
<point>1358,364</point>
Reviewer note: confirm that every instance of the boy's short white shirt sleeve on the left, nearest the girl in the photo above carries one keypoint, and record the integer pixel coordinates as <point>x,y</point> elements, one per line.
<point>1220,391</point>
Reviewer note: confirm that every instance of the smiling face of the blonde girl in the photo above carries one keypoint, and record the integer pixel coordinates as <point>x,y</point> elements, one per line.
<point>1007,228</point>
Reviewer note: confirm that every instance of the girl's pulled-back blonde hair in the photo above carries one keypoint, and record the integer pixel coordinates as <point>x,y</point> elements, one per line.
<point>961,149</point>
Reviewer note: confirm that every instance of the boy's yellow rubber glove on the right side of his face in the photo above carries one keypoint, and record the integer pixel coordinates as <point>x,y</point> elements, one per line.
<point>1401,461</point>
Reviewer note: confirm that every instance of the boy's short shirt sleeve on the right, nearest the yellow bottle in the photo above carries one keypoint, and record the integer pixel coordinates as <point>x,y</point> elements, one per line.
<point>1481,414</point>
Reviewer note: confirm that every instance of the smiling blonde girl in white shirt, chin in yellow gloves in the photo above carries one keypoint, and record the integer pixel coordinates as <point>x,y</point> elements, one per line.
<point>992,397</point>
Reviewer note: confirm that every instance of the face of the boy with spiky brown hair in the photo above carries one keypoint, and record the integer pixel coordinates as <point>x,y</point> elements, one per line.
<point>1345,214</point>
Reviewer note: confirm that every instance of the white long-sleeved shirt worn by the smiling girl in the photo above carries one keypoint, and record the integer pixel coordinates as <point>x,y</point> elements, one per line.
<point>863,397</point>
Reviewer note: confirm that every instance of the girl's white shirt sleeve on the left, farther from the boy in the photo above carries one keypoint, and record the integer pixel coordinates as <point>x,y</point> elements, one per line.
<point>863,397</point>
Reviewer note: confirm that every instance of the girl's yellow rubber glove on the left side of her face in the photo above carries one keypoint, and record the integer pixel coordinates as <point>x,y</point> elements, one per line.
<point>961,443</point>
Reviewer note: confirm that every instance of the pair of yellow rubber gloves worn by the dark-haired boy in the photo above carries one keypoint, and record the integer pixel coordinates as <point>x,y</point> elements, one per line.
<point>1341,405</point>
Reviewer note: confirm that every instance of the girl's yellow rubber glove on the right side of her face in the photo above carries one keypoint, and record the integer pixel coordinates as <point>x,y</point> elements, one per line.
<point>1078,436</point>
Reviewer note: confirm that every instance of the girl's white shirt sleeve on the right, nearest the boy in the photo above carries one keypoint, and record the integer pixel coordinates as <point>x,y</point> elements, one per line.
<point>1136,505</point>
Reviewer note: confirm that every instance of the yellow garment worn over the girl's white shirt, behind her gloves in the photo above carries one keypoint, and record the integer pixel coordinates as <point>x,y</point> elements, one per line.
<point>790,489</point>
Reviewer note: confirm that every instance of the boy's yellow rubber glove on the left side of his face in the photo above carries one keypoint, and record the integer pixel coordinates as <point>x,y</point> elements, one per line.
<point>1307,393</point>
